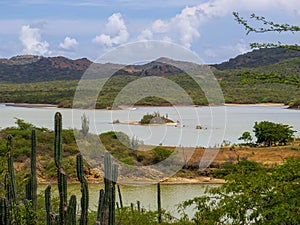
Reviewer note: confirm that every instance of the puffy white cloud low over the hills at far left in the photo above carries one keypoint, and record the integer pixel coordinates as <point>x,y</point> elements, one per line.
<point>32,41</point>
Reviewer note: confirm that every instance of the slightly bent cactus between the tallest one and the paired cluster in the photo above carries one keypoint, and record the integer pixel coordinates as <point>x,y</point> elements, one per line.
<point>84,191</point>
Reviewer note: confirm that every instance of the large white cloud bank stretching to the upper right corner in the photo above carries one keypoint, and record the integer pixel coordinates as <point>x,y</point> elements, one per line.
<point>185,27</point>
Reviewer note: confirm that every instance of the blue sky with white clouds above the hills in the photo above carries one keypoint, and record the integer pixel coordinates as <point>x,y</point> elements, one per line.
<point>90,28</point>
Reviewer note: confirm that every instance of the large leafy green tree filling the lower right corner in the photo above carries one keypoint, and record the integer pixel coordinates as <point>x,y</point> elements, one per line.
<point>252,195</point>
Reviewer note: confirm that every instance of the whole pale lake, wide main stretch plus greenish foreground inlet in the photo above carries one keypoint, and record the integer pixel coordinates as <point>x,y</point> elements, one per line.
<point>219,123</point>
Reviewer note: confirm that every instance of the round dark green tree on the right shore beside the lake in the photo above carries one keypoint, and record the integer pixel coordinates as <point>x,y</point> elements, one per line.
<point>269,133</point>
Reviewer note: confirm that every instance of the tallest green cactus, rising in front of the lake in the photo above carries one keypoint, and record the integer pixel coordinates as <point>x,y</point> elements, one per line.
<point>61,175</point>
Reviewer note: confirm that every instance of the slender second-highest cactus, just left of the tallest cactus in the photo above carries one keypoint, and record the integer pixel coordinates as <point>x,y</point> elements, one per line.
<point>31,187</point>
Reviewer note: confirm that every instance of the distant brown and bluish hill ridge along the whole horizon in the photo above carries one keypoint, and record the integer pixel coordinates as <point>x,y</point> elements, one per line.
<point>31,68</point>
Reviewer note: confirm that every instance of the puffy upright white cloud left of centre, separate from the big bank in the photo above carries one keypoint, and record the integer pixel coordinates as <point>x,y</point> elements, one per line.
<point>116,32</point>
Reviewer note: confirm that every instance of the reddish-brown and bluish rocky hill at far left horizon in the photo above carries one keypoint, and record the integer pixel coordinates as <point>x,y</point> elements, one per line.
<point>29,68</point>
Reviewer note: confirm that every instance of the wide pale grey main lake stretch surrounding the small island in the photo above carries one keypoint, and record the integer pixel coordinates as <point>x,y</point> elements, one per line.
<point>219,123</point>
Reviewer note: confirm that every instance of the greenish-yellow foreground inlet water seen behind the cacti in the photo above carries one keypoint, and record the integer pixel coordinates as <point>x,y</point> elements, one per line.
<point>171,195</point>
